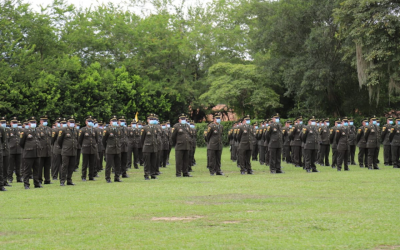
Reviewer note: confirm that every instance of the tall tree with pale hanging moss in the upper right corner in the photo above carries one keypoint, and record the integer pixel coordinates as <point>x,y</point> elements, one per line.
<point>371,33</point>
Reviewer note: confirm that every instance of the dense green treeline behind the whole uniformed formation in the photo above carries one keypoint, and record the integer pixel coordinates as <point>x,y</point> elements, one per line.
<point>295,57</point>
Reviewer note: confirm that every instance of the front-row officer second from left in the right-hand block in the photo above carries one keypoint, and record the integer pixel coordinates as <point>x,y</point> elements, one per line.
<point>274,137</point>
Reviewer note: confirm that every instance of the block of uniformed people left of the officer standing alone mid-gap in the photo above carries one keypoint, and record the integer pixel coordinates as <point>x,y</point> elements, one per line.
<point>34,150</point>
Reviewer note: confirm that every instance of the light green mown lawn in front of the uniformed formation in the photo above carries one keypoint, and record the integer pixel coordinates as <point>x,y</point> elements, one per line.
<point>359,209</point>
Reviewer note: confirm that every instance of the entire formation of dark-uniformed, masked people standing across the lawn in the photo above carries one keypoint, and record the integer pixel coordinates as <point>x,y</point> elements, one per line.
<point>34,150</point>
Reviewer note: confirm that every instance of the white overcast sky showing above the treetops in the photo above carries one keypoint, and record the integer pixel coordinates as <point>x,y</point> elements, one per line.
<point>88,3</point>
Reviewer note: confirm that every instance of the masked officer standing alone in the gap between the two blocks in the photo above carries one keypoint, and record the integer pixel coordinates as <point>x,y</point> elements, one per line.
<point>214,145</point>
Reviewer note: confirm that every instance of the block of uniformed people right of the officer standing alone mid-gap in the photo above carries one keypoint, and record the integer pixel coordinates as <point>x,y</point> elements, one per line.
<point>308,145</point>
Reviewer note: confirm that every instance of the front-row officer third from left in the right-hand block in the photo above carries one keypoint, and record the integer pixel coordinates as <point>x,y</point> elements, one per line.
<point>309,137</point>
